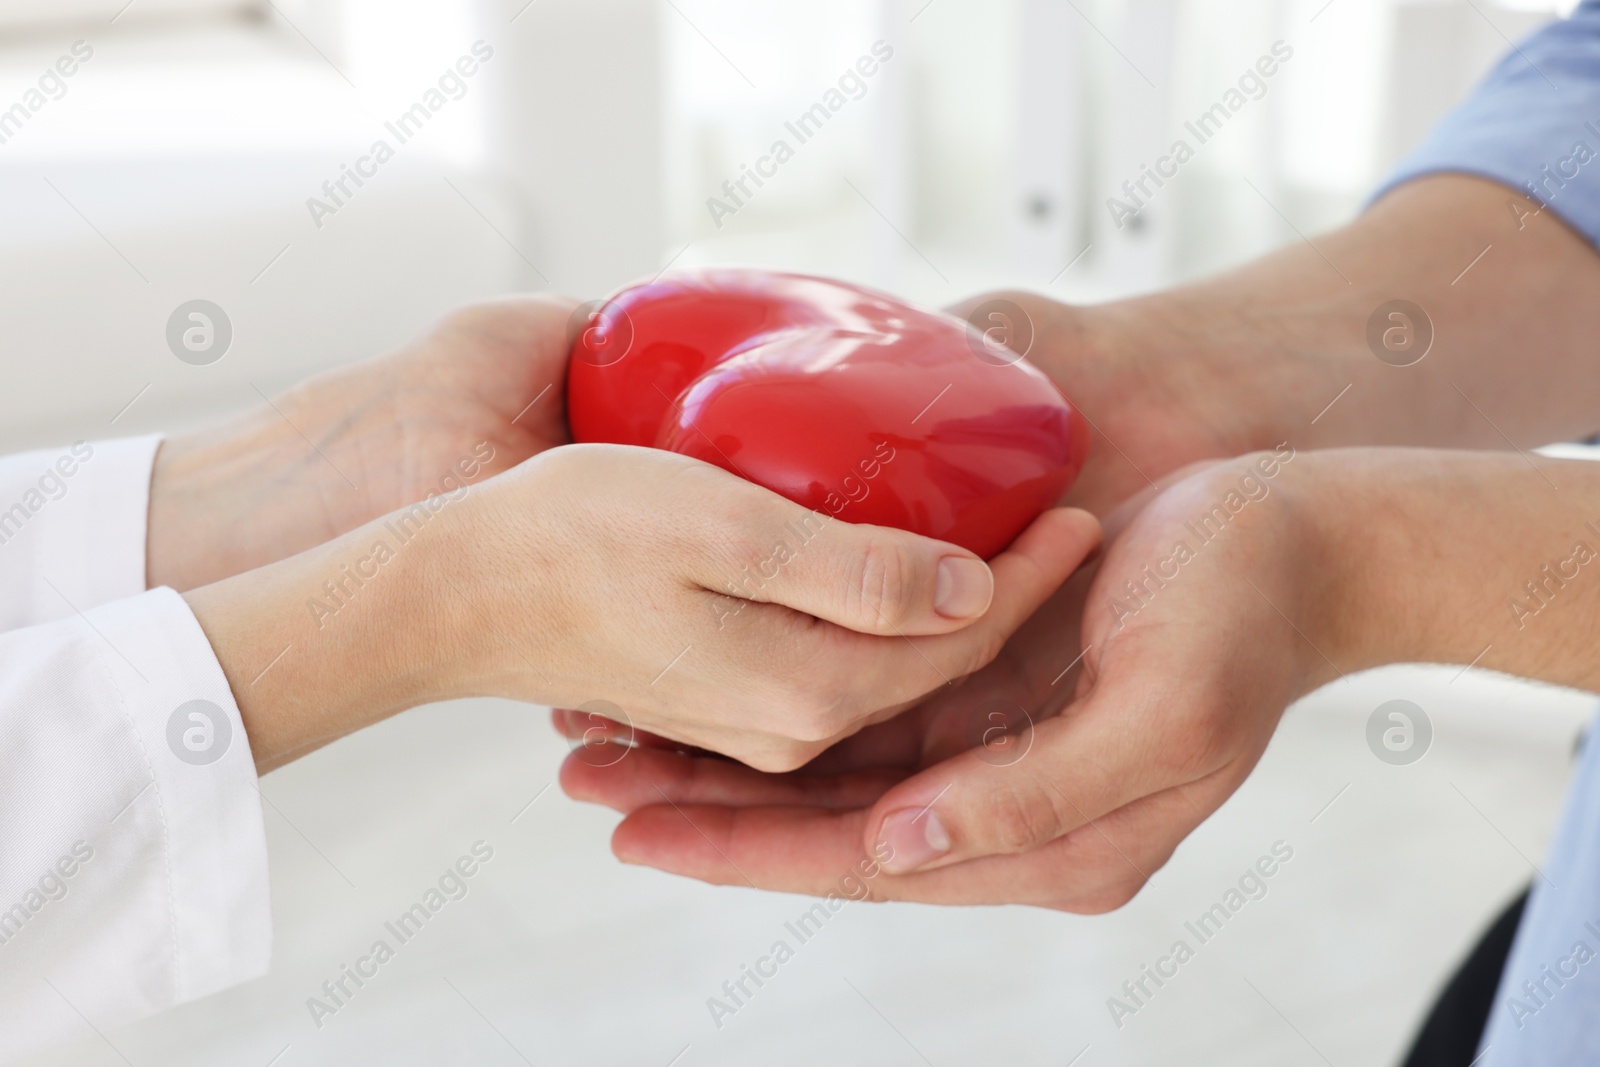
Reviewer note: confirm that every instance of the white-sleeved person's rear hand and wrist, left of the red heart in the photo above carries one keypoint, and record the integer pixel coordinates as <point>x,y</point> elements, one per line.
<point>479,394</point>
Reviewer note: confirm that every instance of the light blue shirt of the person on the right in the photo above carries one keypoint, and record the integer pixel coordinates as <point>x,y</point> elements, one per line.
<point>1535,126</point>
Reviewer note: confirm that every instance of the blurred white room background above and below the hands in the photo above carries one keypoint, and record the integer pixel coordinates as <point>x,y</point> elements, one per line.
<point>178,166</point>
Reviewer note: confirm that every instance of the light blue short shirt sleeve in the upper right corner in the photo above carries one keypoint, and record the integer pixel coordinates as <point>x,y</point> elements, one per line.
<point>1534,126</point>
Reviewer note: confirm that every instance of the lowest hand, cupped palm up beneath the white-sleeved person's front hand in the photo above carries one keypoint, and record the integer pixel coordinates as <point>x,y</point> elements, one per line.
<point>1030,783</point>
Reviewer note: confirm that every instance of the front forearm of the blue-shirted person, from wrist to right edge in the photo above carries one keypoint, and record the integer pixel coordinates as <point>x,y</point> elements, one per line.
<point>1454,557</point>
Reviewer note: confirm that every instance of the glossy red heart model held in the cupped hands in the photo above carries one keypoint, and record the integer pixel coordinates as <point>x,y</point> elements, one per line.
<point>841,399</point>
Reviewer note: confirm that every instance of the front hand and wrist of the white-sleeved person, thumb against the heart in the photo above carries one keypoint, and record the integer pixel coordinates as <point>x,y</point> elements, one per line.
<point>647,586</point>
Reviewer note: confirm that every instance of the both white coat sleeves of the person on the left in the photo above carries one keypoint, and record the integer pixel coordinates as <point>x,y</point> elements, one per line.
<point>134,865</point>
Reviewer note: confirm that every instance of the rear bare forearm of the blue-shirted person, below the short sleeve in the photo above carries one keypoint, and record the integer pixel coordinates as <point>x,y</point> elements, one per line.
<point>1260,353</point>
